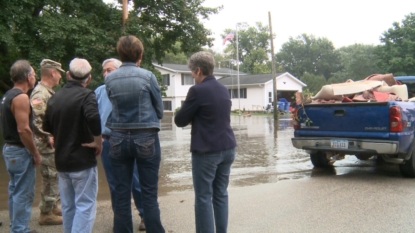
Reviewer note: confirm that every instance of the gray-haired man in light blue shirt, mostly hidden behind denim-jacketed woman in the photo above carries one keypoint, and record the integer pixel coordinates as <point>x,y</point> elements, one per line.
<point>105,108</point>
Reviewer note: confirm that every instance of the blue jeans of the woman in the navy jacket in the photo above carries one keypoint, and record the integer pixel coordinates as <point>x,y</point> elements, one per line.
<point>210,181</point>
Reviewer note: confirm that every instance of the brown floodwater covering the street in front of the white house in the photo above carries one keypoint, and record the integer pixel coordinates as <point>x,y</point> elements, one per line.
<point>263,155</point>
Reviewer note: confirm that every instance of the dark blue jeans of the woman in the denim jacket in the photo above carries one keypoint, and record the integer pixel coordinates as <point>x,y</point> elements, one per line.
<point>141,147</point>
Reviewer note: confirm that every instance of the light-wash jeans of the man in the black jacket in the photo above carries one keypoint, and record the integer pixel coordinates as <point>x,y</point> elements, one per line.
<point>78,192</point>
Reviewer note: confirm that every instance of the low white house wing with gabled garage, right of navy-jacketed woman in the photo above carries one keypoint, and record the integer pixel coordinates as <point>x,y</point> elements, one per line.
<point>256,90</point>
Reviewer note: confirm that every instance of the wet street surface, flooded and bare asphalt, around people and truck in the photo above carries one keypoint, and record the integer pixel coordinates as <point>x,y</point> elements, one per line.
<point>273,188</point>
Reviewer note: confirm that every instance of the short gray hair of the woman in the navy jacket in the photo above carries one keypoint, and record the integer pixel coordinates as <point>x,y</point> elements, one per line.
<point>204,61</point>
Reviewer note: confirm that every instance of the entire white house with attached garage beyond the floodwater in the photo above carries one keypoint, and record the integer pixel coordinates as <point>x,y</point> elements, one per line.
<point>256,90</point>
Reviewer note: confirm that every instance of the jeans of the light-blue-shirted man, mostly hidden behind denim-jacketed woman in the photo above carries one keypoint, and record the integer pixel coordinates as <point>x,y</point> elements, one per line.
<point>136,190</point>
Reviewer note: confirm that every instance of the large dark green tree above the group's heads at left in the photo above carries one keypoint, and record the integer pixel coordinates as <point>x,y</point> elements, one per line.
<point>64,29</point>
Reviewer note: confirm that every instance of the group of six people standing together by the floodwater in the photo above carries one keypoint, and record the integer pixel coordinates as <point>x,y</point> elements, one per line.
<point>63,133</point>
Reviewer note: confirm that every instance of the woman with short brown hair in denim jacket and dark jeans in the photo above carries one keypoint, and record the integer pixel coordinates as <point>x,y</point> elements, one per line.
<point>137,108</point>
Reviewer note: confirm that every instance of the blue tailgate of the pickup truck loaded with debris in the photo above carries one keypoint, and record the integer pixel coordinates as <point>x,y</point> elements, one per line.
<point>368,119</point>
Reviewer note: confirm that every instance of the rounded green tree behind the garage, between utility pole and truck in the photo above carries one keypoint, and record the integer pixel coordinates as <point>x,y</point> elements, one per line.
<point>306,53</point>
